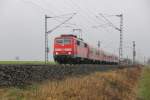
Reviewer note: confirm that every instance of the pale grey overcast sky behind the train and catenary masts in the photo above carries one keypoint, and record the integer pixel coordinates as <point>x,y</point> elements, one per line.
<point>22,25</point>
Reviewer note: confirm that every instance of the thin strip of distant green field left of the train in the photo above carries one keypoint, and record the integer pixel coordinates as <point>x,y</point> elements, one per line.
<point>25,62</point>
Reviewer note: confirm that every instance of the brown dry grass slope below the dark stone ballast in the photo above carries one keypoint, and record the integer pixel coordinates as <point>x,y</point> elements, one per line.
<point>113,85</point>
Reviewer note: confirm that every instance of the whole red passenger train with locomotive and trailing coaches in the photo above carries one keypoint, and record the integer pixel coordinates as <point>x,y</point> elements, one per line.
<point>68,49</point>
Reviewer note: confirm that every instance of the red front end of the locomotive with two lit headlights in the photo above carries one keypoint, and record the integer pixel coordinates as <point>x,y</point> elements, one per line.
<point>64,48</point>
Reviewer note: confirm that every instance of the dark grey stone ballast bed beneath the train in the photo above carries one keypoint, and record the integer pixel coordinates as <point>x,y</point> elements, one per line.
<point>18,75</point>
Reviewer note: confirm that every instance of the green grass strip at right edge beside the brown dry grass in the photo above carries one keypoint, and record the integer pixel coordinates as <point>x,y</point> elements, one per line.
<point>144,91</point>
